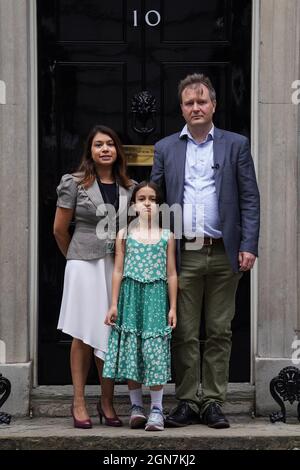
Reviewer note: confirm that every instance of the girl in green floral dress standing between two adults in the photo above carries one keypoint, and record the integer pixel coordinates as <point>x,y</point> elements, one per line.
<point>139,345</point>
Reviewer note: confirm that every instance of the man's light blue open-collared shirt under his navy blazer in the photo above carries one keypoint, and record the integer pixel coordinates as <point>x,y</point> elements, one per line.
<point>200,203</point>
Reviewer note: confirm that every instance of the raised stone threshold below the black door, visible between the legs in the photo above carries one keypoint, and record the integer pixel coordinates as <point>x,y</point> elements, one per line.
<point>55,401</point>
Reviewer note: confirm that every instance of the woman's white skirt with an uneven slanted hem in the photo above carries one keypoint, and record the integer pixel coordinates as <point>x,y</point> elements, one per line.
<point>86,300</point>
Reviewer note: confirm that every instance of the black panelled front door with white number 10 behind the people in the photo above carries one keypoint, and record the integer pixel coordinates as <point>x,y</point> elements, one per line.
<point>94,60</point>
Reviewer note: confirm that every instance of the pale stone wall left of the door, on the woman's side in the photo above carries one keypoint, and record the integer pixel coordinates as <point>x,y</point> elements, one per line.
<point>14,202</point>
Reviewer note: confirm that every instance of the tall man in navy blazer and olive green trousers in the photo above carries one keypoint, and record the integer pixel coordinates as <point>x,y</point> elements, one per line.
<point>203,166</point>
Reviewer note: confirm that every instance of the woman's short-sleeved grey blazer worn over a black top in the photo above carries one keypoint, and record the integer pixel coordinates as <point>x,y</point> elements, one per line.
<point>93,237</point>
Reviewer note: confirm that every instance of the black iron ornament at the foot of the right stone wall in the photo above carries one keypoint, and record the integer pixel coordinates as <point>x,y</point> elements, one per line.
<point>287,386</point>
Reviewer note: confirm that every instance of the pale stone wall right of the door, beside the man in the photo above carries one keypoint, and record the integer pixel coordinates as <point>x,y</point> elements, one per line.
<point>278,154</point>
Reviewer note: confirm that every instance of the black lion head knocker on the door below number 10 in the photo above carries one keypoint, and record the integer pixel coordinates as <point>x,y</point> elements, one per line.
<point>143,108</point>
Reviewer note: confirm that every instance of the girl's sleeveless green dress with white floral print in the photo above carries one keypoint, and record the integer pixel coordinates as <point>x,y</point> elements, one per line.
<point>139,344</point>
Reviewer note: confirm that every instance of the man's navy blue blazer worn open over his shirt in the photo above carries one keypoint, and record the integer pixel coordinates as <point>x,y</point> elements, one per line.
<point>236,187</point>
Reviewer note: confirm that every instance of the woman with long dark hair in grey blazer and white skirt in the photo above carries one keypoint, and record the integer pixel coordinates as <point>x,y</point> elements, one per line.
<point>100,183</point>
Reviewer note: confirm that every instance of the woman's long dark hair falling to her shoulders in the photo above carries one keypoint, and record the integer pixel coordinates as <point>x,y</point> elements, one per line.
<point>87,165</point>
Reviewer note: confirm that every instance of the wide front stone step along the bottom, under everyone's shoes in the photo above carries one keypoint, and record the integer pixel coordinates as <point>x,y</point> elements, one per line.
<point>45,433</point>
